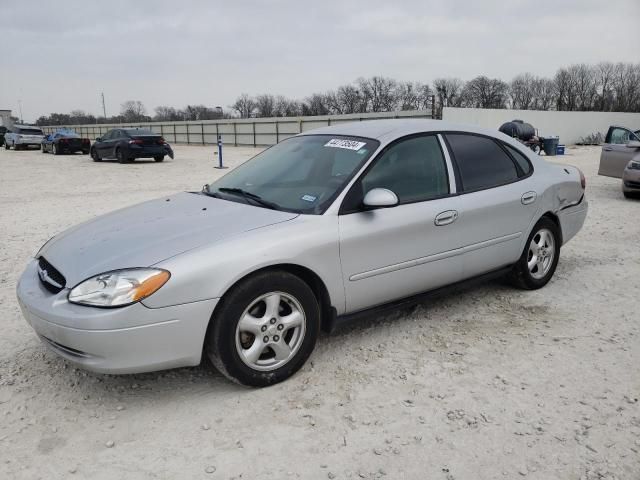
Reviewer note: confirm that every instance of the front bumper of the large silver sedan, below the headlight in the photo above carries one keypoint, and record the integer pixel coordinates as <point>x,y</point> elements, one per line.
<point>131,339</point>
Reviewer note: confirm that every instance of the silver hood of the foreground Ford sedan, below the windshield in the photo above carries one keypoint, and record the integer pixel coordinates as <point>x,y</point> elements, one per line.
<point>147,233</point>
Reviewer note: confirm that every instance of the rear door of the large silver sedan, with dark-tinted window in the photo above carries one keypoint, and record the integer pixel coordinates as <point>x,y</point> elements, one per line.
<point>498,200</point>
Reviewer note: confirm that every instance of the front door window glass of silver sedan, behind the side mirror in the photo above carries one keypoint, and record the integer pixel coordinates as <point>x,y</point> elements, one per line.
<point>414,169</point>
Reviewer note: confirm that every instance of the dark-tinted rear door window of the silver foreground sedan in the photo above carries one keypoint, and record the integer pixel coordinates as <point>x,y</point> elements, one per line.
<point>481,162</point>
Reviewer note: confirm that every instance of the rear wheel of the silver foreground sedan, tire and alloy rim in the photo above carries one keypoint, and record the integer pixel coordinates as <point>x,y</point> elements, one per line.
<point>535,267</point>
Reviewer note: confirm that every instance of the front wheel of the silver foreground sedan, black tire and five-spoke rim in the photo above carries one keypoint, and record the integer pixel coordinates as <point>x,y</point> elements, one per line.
<point>249,356</point>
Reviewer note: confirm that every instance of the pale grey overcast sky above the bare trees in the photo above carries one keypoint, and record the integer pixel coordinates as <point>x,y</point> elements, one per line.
<point>60,55</point>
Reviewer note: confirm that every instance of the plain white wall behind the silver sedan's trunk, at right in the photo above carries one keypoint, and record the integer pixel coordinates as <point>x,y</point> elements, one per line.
<point>569,126</point>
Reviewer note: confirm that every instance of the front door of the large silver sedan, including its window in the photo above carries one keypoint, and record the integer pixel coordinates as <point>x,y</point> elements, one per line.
<point>396,252</point>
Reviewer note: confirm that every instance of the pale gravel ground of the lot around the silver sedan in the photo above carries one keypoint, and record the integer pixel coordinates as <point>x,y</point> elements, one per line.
<point>491,383</point>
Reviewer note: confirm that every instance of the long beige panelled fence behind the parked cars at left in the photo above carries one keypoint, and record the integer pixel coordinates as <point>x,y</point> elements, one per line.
<point>252,131</point>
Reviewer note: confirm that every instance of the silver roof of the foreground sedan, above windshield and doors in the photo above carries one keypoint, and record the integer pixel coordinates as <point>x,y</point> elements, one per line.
<point>388,130</point>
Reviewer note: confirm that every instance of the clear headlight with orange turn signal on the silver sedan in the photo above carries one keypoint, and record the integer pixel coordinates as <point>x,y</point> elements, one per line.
<point>119,288</point>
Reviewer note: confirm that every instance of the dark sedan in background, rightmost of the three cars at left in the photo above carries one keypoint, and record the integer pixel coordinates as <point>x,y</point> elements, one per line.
<point>127,144</point>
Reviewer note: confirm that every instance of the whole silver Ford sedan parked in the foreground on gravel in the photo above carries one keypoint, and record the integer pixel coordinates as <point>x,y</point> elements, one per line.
<point>313,231</point>
